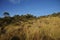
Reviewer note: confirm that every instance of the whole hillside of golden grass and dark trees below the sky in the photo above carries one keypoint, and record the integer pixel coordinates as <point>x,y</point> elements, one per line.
<point>30,27</point>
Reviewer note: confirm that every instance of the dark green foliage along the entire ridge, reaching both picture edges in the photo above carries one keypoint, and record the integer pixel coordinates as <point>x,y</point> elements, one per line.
<point>21,18</point>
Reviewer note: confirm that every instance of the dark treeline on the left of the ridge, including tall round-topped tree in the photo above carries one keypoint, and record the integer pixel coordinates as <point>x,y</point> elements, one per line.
<point>7,19</point>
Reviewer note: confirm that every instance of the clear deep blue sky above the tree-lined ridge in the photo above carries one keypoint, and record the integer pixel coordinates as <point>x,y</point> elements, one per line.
<point>34,7</point>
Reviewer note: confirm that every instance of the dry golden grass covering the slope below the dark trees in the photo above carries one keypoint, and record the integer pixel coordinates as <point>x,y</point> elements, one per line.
<point>41,29</point>
